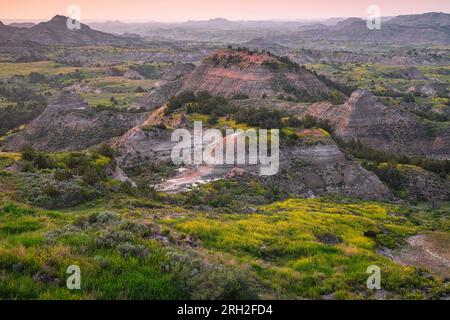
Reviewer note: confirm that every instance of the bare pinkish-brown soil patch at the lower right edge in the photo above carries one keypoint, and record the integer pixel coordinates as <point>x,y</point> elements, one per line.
<point>428,250</point>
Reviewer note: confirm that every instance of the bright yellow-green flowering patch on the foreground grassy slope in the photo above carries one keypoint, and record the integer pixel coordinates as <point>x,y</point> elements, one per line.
<point>313,247</point>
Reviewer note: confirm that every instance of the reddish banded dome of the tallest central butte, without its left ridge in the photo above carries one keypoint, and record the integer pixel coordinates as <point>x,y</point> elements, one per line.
<point>228,72</point>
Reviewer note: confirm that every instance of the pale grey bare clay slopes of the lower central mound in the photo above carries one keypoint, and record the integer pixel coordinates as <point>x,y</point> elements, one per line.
<point>315,167</point>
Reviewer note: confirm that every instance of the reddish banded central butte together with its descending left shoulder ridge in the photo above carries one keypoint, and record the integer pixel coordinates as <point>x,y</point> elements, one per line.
<point>230,72</point>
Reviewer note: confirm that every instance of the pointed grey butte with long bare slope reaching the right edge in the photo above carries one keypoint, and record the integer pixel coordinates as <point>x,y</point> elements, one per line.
<point>382,127</point>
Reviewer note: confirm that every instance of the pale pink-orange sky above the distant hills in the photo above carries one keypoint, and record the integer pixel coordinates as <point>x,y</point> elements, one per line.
<point>182,10</point>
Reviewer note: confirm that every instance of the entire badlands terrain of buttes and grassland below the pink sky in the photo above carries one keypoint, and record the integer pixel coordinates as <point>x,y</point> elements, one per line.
<point>86,174</point>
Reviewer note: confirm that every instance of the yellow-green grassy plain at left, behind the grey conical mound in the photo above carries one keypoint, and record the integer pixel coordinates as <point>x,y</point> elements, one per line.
<point>96,84</point>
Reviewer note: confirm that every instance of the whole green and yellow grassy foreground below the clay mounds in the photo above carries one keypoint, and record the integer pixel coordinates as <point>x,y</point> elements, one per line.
<point>147,245</point>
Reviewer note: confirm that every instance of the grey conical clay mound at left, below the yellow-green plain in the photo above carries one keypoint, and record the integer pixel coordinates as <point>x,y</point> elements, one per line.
<point>68,123</point>
